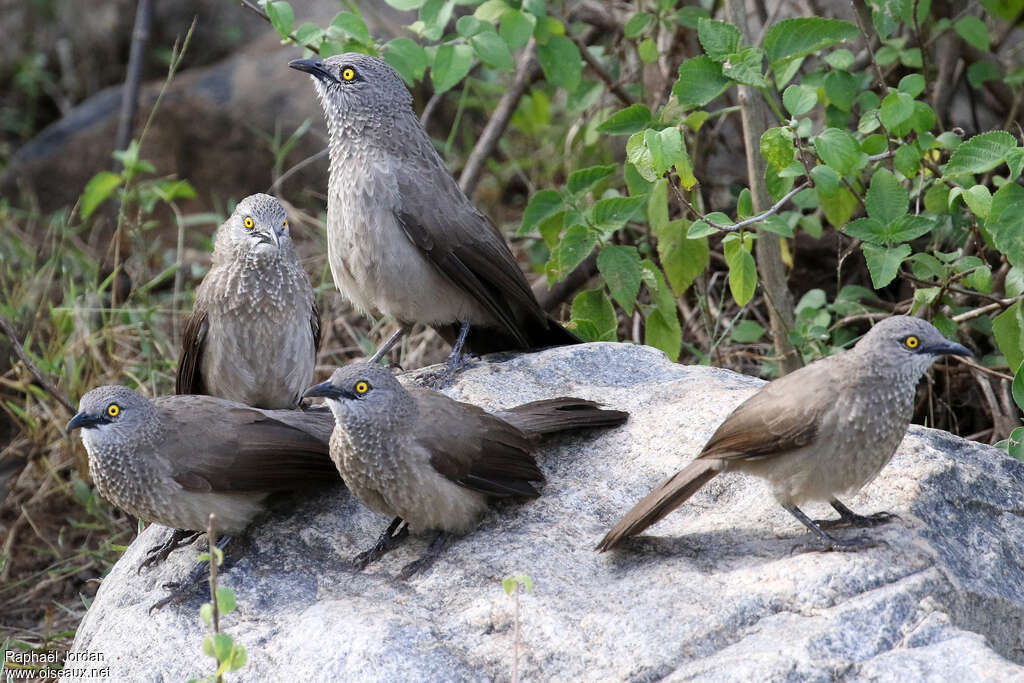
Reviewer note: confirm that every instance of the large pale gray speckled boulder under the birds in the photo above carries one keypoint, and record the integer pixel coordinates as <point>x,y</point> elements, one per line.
<point>721,590</point>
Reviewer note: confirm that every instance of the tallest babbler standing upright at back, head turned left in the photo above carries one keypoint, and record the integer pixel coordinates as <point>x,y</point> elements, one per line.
<point>403,239</point>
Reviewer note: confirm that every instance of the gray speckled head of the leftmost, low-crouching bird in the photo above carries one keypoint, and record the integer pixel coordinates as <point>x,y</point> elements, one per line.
<point>114,416</point>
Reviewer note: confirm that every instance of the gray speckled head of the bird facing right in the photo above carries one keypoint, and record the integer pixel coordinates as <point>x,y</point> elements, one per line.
<point>907,345</point>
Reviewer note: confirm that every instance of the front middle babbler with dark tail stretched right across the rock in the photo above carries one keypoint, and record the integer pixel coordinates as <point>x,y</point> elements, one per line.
<point>433,462</point>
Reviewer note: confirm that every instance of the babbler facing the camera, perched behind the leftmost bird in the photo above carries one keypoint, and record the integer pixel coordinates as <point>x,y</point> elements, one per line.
<point>254,331</point>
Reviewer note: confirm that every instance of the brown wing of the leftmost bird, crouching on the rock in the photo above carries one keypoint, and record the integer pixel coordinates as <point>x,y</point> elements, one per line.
<point>227,447</point>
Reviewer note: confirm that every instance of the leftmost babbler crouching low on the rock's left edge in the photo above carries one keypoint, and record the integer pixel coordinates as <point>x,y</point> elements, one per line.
<point>175,460</point>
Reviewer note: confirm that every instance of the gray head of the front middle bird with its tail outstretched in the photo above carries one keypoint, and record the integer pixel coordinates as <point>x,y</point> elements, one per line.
<point>366,394</point>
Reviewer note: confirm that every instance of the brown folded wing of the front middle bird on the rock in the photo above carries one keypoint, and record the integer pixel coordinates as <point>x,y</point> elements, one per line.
<point>476,449</point>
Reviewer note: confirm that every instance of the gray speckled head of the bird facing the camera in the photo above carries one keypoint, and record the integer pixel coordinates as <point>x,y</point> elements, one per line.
<point>258,228</point>
